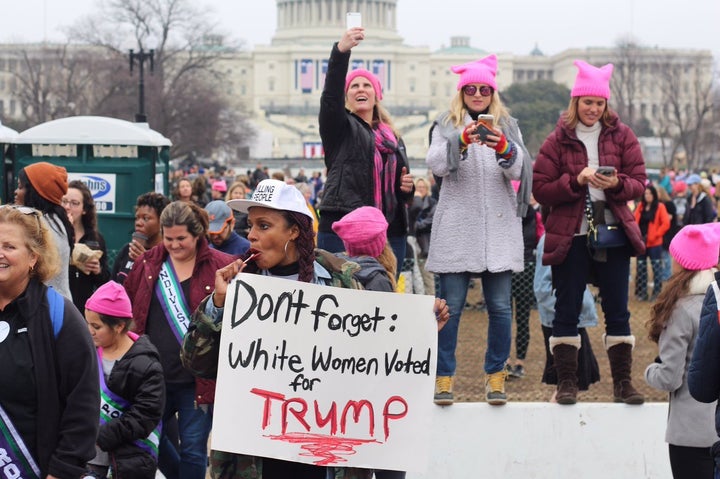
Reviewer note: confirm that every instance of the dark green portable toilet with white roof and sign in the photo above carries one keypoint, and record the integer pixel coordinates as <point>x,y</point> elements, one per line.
<point>117,159</point>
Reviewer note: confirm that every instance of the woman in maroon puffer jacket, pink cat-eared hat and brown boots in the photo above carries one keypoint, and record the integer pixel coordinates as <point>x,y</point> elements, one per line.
<point>587,170</point>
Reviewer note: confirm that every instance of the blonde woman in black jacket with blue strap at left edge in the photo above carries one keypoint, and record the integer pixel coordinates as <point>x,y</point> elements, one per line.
<point>49,394</point>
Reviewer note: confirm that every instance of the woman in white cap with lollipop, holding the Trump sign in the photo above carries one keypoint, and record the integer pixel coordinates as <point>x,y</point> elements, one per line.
<point>282,246</point>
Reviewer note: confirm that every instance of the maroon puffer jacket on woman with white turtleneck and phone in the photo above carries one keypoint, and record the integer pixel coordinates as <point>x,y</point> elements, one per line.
<point>562,157</point>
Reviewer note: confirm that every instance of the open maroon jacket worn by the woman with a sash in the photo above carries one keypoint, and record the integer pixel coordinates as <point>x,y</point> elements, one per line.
<point>140,286</point>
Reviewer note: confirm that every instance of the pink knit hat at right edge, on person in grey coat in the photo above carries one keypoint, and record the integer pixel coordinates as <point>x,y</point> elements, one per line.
<point>696,247</point>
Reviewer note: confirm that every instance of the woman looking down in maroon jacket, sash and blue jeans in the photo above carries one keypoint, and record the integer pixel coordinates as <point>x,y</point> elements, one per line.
<point>165,284</point>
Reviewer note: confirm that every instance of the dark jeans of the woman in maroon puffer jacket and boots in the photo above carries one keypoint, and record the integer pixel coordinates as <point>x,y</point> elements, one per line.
<point>611,277</point>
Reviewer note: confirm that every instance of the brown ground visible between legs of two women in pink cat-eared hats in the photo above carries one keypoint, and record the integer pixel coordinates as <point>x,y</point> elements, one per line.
<point>472,340</point>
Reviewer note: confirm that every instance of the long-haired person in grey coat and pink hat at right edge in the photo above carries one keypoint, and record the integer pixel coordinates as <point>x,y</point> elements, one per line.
<point>674,324</point>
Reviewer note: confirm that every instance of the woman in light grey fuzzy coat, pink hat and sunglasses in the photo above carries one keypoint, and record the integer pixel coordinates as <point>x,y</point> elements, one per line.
<point>476,229</point>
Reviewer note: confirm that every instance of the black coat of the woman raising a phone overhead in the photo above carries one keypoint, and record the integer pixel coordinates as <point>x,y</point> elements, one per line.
<point>349,144</point>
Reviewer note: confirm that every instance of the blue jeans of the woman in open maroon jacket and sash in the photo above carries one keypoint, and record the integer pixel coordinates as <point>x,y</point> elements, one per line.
<point>194,424</point>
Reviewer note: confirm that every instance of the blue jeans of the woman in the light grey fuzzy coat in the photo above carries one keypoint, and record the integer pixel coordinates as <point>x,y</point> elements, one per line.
<point>496,291</point>
